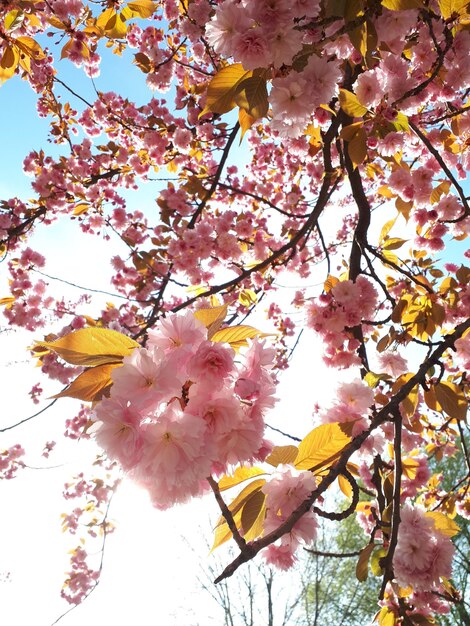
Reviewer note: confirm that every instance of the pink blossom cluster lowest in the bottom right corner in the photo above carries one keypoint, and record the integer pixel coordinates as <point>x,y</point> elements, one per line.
<point>423,554</point>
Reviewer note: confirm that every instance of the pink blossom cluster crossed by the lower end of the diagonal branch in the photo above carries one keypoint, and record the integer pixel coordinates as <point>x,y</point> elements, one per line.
<point>285,491</point>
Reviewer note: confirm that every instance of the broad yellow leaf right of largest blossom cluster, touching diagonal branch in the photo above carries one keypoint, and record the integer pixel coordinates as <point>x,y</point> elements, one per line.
<point>323,445</point>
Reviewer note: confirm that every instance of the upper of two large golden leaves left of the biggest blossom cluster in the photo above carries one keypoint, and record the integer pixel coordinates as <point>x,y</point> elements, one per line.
<point>91,346</point>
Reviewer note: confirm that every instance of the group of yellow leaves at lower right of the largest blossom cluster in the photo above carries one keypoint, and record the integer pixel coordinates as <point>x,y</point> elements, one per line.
<point>316,453</point>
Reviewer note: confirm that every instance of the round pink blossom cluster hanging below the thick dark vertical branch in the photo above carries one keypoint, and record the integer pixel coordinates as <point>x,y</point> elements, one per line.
<point>336,312</point>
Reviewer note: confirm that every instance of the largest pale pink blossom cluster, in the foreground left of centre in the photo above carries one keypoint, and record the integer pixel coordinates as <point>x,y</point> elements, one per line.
<point>184,407</point>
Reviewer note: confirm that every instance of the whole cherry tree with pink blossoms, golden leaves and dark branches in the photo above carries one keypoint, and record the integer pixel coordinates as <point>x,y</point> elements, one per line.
<point>353,120</point>
